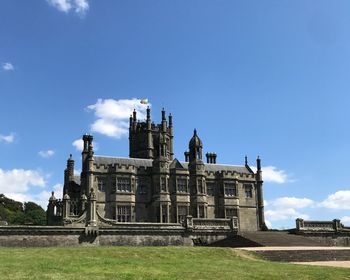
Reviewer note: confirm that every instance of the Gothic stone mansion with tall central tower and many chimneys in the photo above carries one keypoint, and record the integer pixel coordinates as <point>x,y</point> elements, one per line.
<point>153,186</point>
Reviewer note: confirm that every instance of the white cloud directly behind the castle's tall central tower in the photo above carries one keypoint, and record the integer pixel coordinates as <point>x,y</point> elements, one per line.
<point>113,115</point>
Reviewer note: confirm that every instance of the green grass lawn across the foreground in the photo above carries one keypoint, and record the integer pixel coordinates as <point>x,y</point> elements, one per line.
<point>151,263</point>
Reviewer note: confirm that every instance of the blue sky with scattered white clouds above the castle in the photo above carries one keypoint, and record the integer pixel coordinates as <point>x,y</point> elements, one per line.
<point>268,78</point>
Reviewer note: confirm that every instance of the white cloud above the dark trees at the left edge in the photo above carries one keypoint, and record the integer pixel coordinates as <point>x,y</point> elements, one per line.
<point>19,180</point>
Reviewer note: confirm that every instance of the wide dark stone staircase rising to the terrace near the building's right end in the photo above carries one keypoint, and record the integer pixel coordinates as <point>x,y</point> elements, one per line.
<point>265,238</point>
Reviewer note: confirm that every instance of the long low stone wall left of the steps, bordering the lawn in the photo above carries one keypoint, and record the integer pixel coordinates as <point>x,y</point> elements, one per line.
<point>145,234</point>
